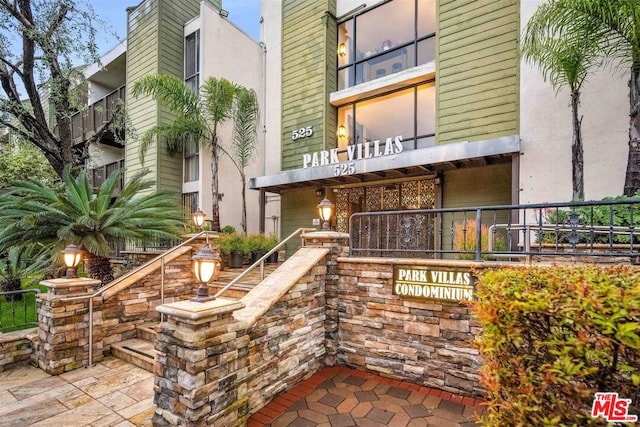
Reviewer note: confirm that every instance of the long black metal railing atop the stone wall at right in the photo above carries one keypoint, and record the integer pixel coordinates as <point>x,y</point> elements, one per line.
<point>513,232</point>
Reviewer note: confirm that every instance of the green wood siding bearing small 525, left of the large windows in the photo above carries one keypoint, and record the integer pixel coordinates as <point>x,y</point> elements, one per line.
<point>308,75</point>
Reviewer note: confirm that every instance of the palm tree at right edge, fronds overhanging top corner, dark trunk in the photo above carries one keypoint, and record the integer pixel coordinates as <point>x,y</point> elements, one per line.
<point>615,26</point>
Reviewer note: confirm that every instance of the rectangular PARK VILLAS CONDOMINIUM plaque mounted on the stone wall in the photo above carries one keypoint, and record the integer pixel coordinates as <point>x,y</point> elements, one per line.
<point>432,283</point>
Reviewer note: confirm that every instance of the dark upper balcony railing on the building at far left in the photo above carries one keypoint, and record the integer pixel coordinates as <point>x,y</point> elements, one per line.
<point>88,122</point>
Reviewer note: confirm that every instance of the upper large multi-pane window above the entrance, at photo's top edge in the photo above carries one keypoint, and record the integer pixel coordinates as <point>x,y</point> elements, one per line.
<point>389,38</point>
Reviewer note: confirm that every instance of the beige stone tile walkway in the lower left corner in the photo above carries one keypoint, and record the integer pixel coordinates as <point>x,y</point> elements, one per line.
<point>111,393</point>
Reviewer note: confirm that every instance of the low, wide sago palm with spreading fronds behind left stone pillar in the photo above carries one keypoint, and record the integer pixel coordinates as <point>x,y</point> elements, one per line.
<point>33,212</point>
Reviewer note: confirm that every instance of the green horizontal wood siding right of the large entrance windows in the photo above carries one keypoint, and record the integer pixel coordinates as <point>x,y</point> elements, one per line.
<point>477,70</point>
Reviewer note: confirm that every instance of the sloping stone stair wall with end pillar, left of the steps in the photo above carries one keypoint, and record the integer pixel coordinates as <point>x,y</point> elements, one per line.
<point>63,313</point>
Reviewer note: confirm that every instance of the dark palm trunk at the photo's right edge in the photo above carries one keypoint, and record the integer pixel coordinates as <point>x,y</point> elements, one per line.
<point>632,176</point>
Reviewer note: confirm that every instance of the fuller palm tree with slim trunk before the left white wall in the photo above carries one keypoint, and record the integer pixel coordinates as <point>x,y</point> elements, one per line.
<point>198,118</point>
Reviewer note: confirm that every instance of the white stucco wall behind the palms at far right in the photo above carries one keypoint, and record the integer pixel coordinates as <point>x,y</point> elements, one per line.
<point>546,133</point>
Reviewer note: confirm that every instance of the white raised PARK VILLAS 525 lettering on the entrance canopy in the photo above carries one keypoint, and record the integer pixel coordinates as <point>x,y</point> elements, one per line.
<point>362,151</point>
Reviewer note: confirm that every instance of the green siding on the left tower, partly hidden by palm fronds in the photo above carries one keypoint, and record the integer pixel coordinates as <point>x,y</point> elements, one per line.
<point>155,45</point>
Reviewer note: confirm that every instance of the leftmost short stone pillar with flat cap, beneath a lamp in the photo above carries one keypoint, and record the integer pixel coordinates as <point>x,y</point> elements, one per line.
<point>63,325</point>
